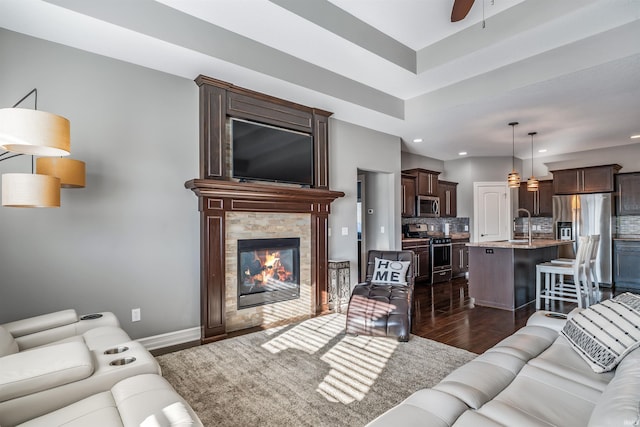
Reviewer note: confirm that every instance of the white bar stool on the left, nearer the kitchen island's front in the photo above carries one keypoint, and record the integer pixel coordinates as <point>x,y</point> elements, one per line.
<point>576,292</point>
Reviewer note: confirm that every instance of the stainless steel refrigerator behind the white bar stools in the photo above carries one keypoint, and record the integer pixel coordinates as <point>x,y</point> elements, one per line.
<point>582,215</point>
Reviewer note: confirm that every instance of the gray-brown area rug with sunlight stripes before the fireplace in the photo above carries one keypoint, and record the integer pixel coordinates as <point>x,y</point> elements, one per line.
<point>305,374</point>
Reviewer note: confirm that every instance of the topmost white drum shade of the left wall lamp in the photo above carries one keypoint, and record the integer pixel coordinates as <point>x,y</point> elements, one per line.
<point>34,132</point>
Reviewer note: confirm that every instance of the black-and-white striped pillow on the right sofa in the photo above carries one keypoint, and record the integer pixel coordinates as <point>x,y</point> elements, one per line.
<point>605,333</point>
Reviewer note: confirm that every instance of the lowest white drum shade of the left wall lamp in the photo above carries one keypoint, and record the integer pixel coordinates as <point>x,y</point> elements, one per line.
<point>26,190</point>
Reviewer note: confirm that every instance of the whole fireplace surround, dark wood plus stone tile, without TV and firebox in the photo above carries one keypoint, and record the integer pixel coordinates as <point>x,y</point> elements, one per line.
<point>231,210</point>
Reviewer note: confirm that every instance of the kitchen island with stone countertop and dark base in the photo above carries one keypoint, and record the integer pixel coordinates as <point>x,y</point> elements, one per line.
<point>502,274</point>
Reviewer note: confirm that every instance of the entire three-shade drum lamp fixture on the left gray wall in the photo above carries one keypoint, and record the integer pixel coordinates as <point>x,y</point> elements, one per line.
<point>37,133</point>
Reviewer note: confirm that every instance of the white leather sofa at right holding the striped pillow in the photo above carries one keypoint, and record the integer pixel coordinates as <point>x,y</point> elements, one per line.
<point>538,377</point>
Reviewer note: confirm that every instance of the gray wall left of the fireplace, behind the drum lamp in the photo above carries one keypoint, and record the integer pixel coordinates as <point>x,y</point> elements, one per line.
<point>130,238</point>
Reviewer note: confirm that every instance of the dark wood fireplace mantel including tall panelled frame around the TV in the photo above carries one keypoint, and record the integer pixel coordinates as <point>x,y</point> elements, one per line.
<point>218,193</point>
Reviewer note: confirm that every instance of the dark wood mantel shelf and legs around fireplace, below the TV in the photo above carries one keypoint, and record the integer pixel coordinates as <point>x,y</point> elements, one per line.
<point>216,198</point>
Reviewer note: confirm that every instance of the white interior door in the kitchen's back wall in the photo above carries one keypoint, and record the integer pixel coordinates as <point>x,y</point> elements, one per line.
<point>492,216</point>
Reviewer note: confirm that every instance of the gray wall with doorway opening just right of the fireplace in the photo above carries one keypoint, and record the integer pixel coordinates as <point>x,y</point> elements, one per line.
<point>355,149</point>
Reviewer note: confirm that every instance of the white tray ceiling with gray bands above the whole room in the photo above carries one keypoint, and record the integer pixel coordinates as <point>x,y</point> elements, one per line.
<point>567,69</point>
